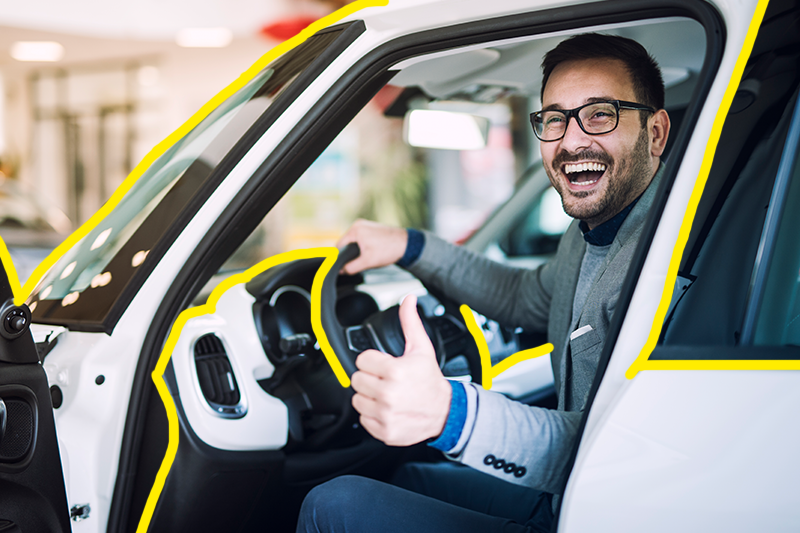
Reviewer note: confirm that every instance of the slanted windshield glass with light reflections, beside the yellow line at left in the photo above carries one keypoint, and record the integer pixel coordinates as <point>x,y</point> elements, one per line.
<point>87,282</point>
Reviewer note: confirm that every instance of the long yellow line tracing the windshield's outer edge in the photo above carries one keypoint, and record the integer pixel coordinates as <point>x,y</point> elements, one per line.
<point>182,131</point>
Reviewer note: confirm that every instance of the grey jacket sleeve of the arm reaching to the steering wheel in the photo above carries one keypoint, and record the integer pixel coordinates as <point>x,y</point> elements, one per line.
<point>512,296</point>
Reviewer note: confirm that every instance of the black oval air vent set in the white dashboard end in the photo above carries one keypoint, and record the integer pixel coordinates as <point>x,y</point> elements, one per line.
<point>216,378</point>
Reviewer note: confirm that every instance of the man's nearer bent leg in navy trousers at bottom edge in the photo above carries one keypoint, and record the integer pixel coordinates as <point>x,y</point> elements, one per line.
<point>351,504</point>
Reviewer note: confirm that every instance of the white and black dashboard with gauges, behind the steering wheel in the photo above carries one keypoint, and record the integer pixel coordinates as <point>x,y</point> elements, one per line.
<point>251,375</point>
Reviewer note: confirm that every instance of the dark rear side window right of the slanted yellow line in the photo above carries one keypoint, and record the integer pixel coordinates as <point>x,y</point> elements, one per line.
<point>728,252</point>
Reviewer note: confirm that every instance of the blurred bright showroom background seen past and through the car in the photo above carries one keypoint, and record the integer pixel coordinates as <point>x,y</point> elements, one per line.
<point>115,78</point>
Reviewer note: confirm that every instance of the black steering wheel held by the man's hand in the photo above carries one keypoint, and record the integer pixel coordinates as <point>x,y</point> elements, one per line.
<point>382,331</point>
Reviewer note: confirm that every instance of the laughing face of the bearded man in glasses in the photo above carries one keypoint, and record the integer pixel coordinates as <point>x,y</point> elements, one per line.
<point>621,163</point>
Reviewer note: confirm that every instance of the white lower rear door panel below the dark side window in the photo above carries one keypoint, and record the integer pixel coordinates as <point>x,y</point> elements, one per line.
<point>694,451</point>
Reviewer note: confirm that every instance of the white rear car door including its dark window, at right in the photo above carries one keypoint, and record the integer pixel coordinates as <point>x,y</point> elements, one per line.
<point>703,435</point>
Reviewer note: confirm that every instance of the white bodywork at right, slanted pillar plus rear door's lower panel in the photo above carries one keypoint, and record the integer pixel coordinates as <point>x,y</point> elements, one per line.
<point>662,410</point>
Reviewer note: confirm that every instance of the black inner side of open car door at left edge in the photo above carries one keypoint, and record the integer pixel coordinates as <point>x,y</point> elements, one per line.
<point>32,494</point>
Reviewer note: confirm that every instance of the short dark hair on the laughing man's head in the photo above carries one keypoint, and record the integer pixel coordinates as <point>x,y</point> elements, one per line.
<point>648,85</point>
